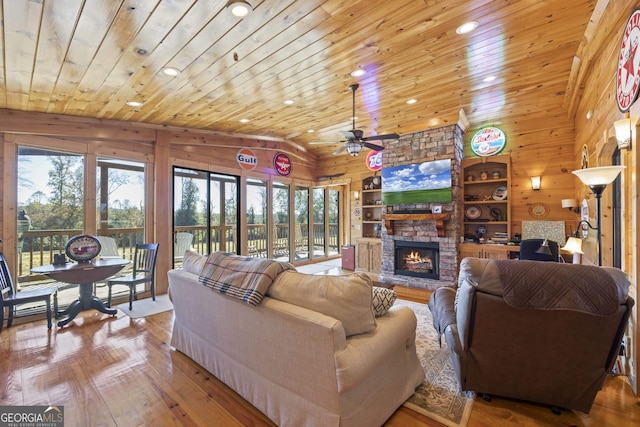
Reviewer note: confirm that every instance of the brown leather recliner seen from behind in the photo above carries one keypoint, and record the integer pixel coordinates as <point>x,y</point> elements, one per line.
<point>536,331</point>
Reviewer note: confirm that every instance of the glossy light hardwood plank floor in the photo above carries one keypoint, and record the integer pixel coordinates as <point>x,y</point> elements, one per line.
<point>115,371</point>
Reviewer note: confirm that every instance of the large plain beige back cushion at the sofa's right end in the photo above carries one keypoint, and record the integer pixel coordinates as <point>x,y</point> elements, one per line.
<point>346,298</point>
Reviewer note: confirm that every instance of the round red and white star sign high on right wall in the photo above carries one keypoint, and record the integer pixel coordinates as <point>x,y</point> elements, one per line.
<point>628,73</point>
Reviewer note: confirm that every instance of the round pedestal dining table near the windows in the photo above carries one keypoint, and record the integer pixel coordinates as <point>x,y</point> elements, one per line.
<point>84,274</point>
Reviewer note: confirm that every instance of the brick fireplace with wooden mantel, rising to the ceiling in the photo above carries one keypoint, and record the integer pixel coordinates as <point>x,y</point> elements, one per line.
<point>441,231</point>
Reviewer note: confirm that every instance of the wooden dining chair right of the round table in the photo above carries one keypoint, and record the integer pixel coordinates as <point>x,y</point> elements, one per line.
<point>144,266</point>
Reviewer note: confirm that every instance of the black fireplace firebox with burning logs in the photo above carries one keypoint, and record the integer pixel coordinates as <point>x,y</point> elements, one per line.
<point>418,259</point>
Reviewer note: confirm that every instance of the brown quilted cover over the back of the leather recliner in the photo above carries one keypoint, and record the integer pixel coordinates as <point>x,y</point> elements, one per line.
<point>558,286</point>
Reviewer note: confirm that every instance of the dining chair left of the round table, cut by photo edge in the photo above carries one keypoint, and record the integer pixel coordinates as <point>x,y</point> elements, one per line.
<point>10,298</point>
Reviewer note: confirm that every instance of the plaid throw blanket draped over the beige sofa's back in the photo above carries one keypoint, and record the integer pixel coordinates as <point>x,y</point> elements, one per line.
<point>245,278</point>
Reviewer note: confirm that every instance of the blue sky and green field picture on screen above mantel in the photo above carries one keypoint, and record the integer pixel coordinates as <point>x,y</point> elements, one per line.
<point>417,183</point>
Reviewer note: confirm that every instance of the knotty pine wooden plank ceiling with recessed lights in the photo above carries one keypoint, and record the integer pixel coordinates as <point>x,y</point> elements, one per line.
<point>88,57</point>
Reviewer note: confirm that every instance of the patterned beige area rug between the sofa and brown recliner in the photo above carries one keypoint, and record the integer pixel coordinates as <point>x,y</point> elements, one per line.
<point>439,396</point>
